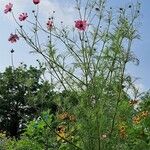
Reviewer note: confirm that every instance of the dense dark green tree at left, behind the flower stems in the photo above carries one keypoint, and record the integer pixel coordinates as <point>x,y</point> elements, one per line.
<point>23,94</point>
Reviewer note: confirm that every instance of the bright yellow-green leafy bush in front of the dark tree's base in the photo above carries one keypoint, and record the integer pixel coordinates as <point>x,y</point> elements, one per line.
<point>37,135</point>
